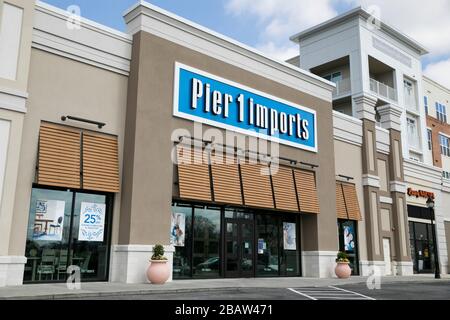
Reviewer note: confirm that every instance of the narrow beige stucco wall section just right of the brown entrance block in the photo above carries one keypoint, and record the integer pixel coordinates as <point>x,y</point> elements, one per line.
<point>348,162</point>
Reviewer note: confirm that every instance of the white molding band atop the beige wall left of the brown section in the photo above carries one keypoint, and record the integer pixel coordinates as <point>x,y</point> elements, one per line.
<point>89,42</point>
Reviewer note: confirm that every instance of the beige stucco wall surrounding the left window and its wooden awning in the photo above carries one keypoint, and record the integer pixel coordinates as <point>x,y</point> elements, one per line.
<point>59,86</point>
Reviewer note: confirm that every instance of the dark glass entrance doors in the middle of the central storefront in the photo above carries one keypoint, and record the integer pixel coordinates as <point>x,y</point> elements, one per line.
<point>239,244</point>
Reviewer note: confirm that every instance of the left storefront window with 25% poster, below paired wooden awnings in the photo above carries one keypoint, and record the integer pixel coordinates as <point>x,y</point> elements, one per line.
<point>67,229</point>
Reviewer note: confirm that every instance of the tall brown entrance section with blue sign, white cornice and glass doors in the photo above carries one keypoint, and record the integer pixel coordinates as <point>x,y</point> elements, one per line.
<point>254,204</point>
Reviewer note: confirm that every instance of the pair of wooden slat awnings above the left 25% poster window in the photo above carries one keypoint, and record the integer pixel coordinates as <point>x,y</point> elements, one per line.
<point>76,158</point>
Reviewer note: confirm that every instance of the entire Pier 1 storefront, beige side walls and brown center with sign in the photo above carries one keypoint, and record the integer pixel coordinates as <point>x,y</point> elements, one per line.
<point>171,134</point>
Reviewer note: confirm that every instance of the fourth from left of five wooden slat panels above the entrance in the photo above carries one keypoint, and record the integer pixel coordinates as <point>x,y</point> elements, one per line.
<point>284,189</point>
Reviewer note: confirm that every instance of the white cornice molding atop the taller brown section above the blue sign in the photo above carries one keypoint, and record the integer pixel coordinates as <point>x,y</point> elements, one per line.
<point>151,19</point>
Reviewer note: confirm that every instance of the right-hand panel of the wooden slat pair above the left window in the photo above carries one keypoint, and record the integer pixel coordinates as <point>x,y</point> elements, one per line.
<point>100,162</point>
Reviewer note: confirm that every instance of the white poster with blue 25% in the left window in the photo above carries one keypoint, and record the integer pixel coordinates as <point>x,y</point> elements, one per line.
<point>92,222</point>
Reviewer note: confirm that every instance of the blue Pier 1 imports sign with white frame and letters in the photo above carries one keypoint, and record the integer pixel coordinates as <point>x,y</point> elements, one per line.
<point>208,99</point>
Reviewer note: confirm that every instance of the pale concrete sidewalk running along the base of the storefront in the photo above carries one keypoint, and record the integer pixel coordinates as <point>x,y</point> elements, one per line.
<point>89,290</point>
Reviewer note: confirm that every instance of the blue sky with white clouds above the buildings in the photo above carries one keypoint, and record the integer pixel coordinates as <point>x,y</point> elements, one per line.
<point>267,24</point>
